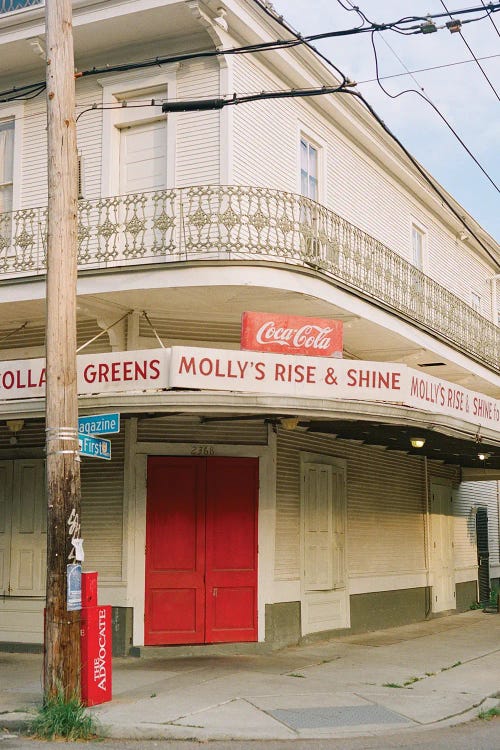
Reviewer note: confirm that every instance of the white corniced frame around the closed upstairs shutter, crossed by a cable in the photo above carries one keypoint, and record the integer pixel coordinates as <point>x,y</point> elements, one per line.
<point>116,89</point>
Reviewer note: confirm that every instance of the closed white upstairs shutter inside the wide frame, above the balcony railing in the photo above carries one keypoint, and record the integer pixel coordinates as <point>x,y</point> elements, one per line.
<point>143,157</point>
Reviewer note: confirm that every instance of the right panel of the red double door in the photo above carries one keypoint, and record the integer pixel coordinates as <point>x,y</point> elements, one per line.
<point>231,550</point>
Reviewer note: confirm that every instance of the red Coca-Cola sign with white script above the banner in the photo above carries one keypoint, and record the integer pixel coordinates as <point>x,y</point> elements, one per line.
<point>291,334</point>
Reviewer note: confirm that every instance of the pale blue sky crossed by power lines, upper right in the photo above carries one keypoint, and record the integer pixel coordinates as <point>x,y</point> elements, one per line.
<point>460,92</point>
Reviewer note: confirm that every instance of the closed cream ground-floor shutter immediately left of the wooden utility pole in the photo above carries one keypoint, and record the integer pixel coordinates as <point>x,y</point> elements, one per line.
<point>29,523</point>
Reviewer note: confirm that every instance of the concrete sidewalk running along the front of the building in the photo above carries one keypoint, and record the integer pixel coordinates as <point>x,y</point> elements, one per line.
<point>438,672</point>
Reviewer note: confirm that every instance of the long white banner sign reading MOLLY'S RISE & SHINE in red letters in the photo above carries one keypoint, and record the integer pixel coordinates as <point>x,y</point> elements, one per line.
<point>258,372</point>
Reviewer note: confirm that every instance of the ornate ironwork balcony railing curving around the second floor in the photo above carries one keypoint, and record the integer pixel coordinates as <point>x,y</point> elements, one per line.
<point>232,222</point>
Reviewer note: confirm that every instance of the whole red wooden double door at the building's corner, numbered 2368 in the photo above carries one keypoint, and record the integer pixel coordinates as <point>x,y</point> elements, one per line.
<point>201,550</point>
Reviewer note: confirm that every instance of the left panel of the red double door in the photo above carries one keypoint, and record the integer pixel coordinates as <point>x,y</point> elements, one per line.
<point>175,551</point>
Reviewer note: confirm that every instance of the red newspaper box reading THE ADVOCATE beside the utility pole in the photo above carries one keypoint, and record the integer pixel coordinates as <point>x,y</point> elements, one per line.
<point>95,642</point>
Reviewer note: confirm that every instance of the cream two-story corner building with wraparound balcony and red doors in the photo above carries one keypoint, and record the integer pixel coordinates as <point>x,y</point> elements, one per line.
<point>250,496</point>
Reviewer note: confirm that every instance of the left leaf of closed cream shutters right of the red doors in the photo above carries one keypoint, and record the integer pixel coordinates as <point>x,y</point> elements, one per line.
<point>318,527</point>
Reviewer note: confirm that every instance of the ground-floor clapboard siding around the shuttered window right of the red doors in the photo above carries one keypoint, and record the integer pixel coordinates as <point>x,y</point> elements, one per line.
<point>385,507</point>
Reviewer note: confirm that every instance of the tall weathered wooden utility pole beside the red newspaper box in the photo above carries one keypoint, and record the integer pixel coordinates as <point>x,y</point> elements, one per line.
<point>62,628</point>
